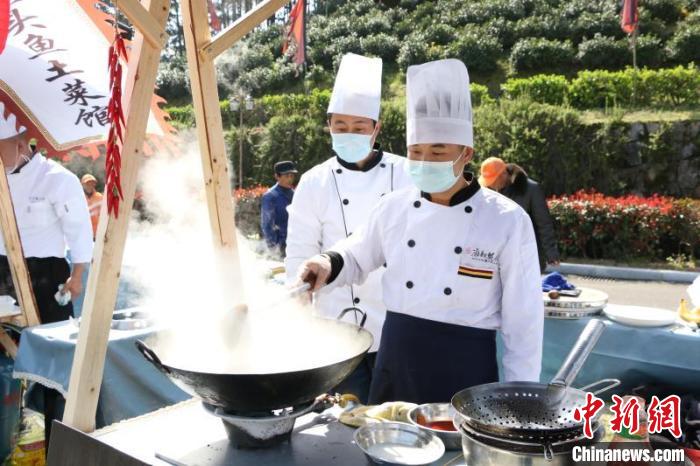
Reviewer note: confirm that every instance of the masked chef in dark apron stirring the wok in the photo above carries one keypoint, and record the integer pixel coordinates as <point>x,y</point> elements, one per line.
<point>461,261</point>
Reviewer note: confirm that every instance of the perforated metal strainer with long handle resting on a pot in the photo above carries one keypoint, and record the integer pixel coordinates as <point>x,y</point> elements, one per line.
<point>531,410</point>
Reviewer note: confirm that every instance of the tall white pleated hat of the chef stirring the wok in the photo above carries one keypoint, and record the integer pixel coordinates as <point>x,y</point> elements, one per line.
<point>438,104</point>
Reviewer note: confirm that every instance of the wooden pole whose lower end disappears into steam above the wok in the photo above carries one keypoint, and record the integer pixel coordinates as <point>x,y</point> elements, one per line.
<point>210,133</point>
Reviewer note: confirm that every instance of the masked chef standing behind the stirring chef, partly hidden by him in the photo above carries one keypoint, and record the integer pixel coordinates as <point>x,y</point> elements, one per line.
<point>335,197</point>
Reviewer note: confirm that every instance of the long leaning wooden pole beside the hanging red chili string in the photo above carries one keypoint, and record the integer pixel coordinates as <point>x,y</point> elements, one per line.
<point>101,293</point>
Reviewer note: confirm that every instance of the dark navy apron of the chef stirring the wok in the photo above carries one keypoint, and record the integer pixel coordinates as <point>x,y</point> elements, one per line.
<point>424,361</point>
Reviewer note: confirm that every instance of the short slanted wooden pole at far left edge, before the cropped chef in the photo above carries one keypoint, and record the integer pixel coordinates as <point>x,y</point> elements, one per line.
<point>15,254</point>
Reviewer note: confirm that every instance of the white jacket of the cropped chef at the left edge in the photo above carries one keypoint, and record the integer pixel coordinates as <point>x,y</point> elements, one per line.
<point>51,211</point>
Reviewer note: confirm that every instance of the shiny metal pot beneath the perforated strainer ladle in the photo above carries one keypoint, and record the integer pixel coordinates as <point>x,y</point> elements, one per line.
<point>485,450</point>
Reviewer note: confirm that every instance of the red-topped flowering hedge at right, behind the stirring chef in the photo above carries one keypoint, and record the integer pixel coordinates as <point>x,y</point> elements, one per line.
<point>593,225</point>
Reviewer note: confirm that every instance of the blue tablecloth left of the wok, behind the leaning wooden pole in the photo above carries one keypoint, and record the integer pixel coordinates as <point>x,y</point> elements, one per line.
<point>131,386</point>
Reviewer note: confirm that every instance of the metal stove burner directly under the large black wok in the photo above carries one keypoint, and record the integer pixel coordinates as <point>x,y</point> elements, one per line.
<point>261,429</point>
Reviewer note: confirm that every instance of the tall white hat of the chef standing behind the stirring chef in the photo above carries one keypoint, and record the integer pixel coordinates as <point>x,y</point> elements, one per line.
<point>358,87</point>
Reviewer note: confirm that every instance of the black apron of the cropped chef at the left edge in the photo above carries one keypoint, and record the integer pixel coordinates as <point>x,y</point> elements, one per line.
<point>45,274</point>
